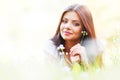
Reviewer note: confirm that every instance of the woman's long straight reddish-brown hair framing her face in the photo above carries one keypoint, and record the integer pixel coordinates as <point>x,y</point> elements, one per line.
<point>86,18</point>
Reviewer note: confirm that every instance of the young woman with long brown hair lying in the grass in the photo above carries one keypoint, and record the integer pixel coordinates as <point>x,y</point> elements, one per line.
<point>75,38</point>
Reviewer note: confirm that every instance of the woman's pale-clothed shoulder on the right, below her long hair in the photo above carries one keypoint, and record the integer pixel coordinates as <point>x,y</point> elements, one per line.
<point>94,48</point>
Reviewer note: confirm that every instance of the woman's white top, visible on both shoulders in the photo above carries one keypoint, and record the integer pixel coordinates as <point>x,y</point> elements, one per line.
<point>91,51</point>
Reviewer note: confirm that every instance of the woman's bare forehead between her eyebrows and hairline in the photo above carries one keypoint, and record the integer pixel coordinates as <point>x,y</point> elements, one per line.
<point>71,15</point>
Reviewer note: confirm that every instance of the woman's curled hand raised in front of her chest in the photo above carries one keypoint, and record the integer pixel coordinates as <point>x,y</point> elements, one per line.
<point>78,54</point>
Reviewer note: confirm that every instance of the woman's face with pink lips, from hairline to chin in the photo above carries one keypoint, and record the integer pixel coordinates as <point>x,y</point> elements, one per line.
<point>71,26</point>
